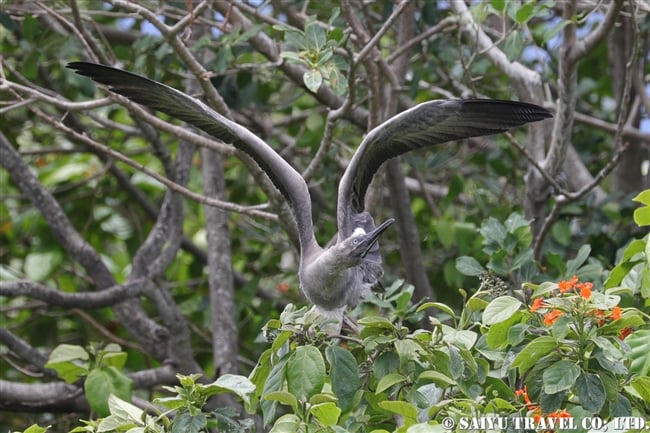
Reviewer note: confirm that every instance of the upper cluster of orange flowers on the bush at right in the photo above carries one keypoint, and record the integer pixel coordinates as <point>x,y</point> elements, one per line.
<point>574,290</point>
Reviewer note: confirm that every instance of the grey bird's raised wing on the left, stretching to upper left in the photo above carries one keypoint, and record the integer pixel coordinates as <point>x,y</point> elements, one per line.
<point>184,107</point>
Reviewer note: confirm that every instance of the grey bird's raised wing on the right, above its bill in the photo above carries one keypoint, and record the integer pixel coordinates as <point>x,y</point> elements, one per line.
<point>425,125</point>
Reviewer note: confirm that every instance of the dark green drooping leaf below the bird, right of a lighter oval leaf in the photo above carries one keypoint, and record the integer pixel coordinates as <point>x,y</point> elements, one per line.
<point>344,375</point>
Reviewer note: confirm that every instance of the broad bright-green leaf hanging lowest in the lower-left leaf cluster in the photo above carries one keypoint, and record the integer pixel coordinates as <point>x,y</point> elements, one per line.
<point>103,382</point>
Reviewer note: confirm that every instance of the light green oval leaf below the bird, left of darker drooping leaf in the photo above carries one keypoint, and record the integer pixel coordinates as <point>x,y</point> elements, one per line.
<point>305,372</point>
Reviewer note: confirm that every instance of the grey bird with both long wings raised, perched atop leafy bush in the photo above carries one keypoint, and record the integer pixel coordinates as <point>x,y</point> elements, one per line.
<point>336,277</point>
